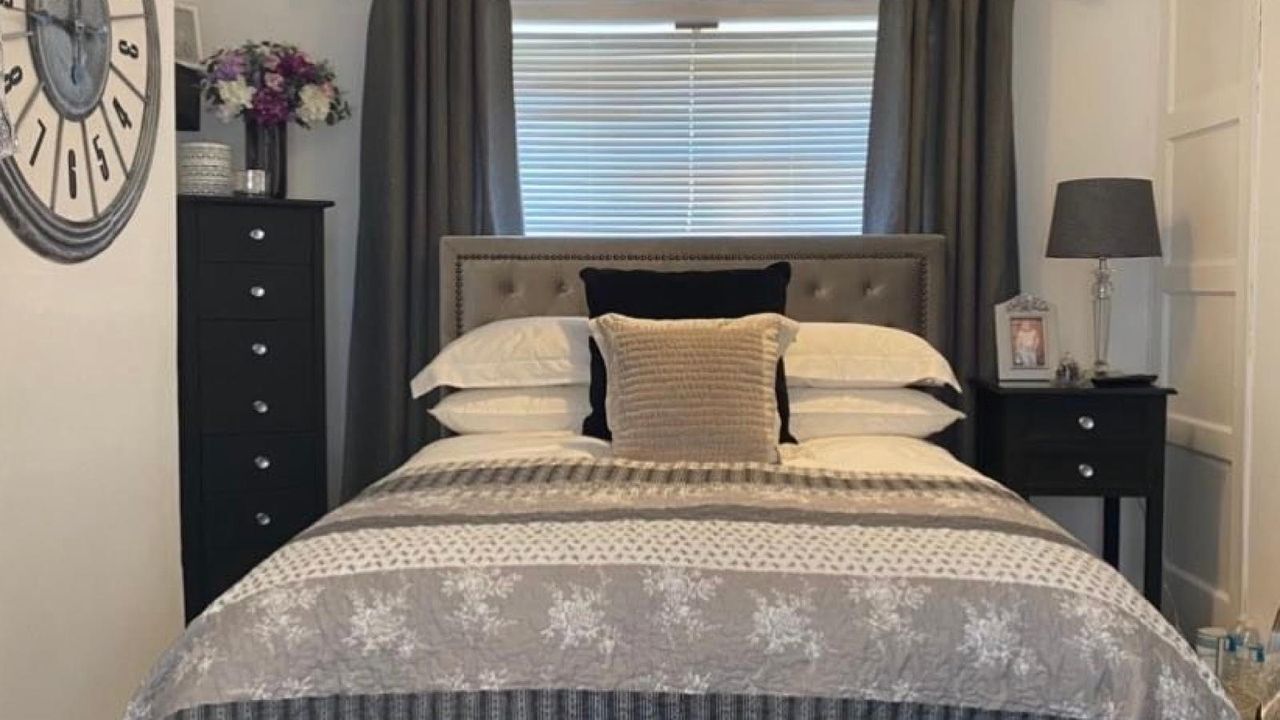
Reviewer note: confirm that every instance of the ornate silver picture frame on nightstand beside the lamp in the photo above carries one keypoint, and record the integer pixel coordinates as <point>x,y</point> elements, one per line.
<point>1026,340</point>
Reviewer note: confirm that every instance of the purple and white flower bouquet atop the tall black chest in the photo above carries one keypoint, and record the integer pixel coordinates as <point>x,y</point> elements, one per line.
<point>273,85</point>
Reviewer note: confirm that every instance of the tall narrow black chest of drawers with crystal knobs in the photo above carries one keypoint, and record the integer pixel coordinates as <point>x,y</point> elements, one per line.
<point>252,384</point>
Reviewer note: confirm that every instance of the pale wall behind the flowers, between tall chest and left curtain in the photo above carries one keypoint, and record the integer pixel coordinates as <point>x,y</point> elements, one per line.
<point>323,163</point>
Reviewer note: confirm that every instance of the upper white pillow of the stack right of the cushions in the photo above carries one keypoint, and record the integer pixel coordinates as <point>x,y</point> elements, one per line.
<point>853,356</point>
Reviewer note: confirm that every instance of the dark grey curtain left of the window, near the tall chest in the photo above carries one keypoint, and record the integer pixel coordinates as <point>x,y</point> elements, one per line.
<point>438,158</point>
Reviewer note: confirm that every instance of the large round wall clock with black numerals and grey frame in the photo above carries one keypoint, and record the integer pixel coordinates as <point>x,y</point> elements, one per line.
<point>83,83</point>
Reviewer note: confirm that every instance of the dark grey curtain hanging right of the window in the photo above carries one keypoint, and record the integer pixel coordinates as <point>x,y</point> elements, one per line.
<point>941,157</point>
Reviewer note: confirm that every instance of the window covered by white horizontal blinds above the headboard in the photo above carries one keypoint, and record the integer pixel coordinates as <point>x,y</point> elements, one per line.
<point>744,127</point>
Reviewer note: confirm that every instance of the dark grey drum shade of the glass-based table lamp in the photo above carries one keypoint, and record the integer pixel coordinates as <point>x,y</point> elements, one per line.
<point>1105,218</point>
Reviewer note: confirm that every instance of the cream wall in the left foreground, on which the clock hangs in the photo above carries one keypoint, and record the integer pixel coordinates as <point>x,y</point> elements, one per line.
<point>90,580</point>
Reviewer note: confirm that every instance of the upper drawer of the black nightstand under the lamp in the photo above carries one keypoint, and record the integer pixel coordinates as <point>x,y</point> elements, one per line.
<point>1084,418</point>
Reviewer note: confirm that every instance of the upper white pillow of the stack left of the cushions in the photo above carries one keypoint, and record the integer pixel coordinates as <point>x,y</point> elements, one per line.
<point>518,353</point>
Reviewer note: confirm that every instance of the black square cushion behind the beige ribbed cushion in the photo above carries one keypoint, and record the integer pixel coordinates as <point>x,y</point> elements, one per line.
<point>678,297</point>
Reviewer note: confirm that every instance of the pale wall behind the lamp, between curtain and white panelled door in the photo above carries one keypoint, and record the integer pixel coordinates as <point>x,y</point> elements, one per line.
<point>1086,93</point>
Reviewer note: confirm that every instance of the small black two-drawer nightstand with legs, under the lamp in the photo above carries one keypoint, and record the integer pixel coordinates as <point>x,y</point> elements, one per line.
<point>1086,443</point>
